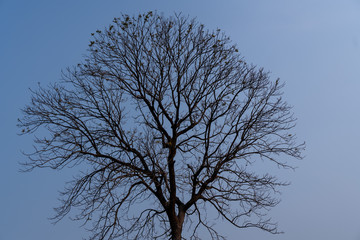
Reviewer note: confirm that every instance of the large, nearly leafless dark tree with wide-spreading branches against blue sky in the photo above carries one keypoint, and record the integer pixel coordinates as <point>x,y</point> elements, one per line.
<point>166,120</point>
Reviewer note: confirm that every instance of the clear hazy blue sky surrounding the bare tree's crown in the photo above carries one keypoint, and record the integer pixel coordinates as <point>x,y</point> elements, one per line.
<point>311,45</point>
